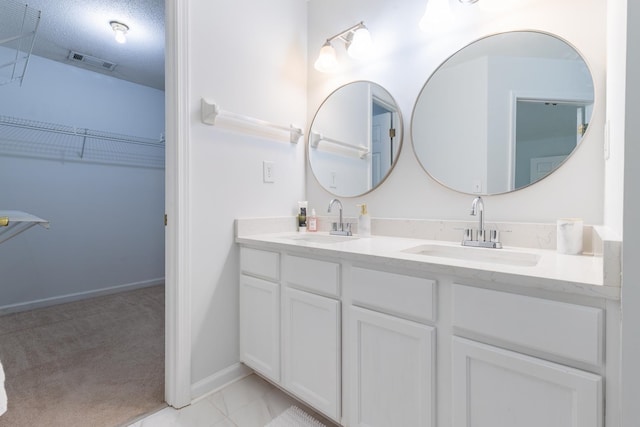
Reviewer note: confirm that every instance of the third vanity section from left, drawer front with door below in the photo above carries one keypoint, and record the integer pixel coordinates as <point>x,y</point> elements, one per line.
<point>392,358</point>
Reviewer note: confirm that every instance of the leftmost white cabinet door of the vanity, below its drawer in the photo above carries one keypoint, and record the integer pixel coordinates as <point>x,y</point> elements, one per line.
<point>260,326</point>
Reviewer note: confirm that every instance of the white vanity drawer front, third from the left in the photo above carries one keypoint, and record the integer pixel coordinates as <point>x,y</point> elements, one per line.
<point>397,294</point>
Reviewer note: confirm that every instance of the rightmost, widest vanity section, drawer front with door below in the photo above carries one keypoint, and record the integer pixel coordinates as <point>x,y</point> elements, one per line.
<point>497,387</point>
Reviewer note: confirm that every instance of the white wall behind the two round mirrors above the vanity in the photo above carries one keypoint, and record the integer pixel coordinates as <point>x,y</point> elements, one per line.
<point>404,61</point>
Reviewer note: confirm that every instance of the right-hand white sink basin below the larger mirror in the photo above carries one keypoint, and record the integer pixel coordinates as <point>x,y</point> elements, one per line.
<point>465,253</point>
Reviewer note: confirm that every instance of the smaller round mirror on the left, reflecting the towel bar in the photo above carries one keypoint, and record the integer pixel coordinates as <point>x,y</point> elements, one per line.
<point>355,139</point>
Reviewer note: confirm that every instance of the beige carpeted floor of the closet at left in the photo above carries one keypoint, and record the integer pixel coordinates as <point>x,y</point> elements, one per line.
<point>97,362</point>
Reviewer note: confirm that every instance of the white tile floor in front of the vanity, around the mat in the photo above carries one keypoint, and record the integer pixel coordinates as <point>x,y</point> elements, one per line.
<point>249,402</point>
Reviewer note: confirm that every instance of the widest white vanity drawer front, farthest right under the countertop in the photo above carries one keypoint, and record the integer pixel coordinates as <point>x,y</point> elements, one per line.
<point>561,329</point>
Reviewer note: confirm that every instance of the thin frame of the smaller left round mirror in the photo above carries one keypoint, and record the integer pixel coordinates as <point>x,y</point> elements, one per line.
<point>400,140</point>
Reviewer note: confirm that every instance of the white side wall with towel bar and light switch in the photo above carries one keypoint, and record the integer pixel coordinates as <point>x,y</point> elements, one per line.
<point>248,56</point>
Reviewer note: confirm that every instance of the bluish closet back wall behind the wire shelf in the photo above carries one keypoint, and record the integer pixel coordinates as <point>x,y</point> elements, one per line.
<point>106,221</point>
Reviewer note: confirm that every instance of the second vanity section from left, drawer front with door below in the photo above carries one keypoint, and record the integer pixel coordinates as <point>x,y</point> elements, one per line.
<point>311,332</point>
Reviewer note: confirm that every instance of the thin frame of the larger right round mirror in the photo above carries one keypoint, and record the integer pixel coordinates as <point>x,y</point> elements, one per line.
<point>442,64</point>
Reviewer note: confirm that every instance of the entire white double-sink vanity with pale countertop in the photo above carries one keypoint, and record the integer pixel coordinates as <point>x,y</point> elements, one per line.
<point>396,331</point>
